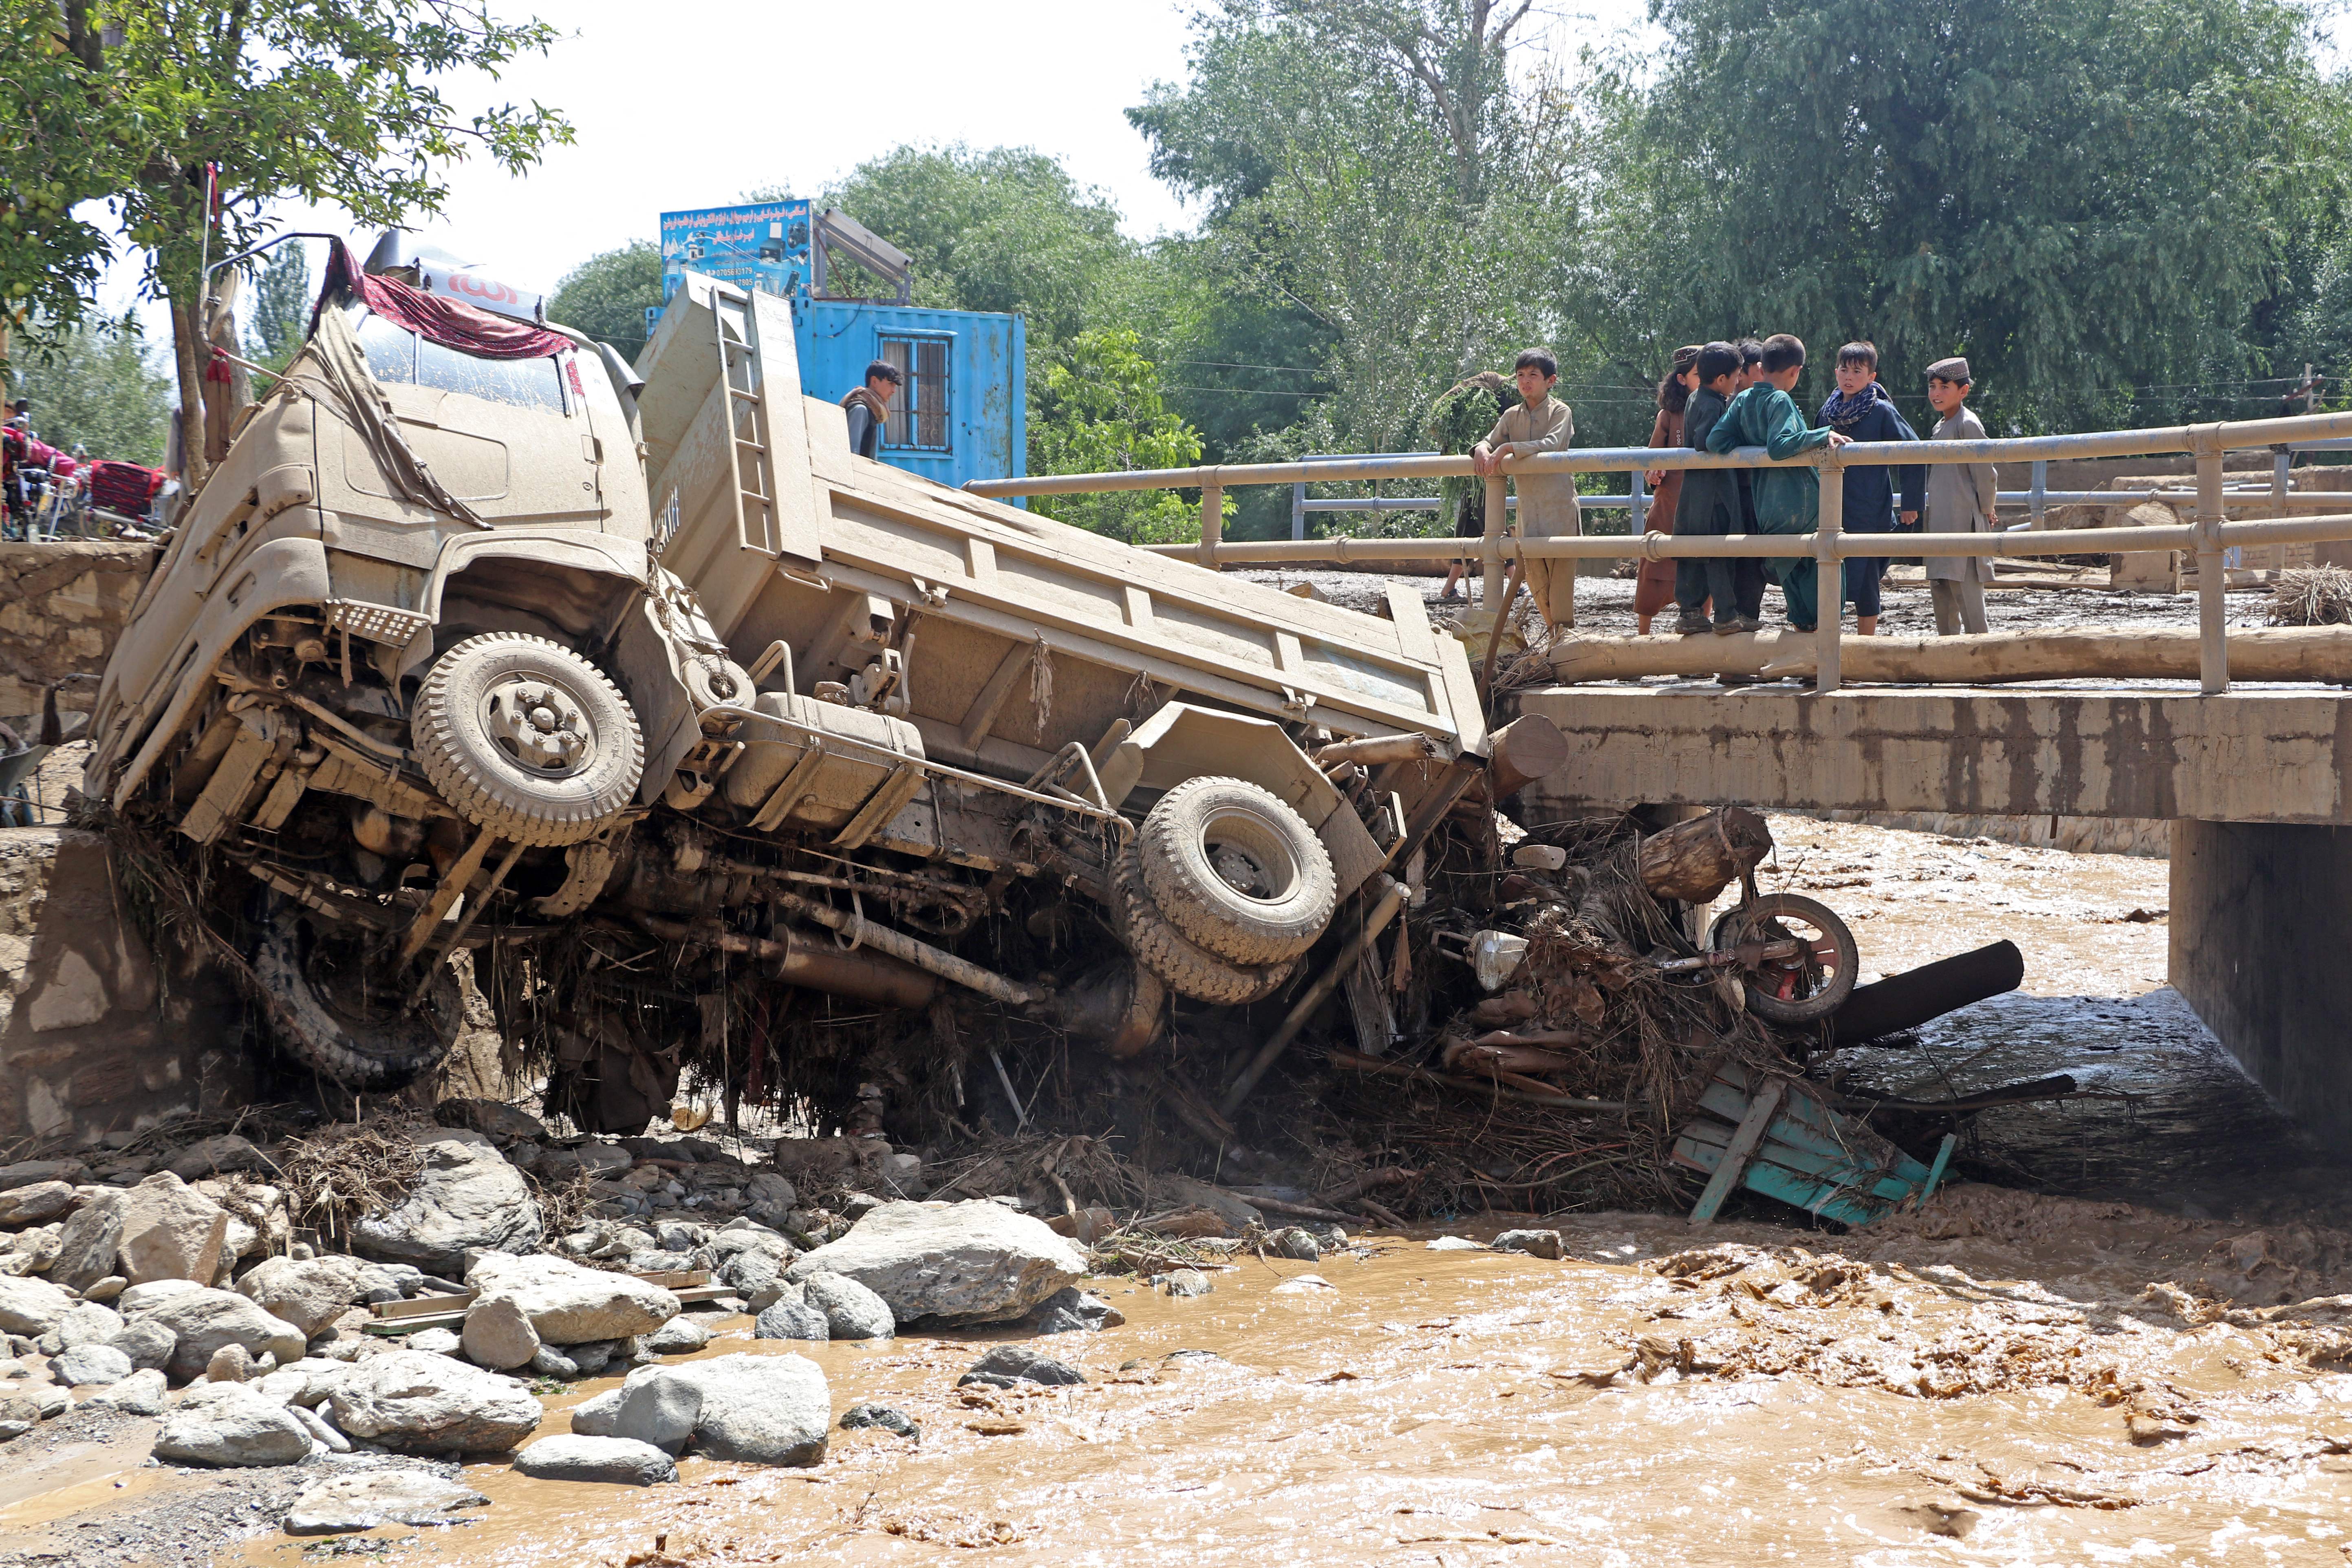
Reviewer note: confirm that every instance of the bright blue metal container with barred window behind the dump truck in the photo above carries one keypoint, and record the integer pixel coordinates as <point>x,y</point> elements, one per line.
<point>963,396</point>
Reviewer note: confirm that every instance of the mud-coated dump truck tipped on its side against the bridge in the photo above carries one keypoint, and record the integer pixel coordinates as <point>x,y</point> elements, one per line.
<point>674,718</point>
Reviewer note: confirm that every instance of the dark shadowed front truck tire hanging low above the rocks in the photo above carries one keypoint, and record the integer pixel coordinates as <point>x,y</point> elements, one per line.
<point>338,1010</point>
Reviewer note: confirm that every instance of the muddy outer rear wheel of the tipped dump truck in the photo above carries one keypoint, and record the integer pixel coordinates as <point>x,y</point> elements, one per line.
<point>1236,871</point>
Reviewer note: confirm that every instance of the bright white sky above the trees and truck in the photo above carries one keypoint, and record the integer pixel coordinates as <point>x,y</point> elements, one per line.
<point>693,102</point>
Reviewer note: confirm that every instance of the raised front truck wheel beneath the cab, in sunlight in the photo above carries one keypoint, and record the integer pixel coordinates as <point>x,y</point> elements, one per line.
<point>528,739</point>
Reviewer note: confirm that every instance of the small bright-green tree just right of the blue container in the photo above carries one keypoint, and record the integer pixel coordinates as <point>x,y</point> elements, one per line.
<point>1100,410</point>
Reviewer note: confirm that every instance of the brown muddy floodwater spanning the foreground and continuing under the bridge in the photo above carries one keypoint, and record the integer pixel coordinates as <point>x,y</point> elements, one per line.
<point>2052,1376</point>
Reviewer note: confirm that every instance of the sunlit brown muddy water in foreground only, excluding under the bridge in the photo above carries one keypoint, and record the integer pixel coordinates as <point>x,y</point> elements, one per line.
<point>1488,1409</point>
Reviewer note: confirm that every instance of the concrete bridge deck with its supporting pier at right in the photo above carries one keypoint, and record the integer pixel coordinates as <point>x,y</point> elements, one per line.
<point>2252,779</point>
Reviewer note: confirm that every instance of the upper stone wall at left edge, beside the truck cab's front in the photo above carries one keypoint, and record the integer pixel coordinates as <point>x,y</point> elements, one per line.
<point>62,608</point>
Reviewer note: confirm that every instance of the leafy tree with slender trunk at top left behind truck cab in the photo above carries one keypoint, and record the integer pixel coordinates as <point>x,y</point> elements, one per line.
<point>290,100</point>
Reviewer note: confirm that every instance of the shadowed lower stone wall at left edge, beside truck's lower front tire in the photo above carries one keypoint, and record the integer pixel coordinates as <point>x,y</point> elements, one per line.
<point>95,1036</point>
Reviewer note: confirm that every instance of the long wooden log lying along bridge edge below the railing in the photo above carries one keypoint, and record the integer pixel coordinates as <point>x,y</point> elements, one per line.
<point>2271,655</point>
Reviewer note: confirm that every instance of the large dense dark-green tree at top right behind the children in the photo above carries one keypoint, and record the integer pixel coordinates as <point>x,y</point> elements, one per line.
<point>2083,196</point>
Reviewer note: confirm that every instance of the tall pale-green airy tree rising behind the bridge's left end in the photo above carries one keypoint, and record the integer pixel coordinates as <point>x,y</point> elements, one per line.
<point>1372,168</point>
